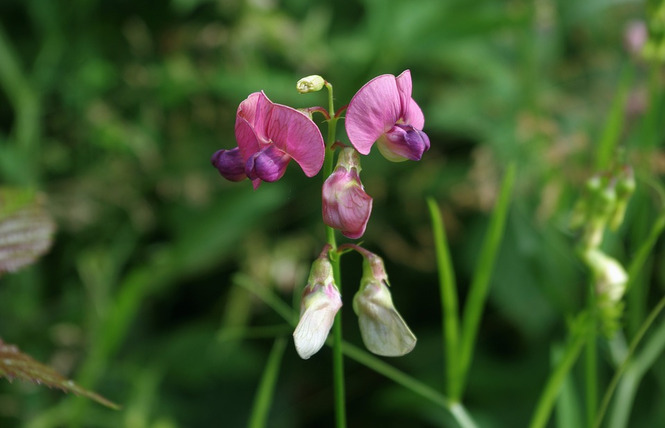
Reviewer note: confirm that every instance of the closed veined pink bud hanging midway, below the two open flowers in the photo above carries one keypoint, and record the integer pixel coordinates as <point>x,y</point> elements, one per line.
<point>346,206</point>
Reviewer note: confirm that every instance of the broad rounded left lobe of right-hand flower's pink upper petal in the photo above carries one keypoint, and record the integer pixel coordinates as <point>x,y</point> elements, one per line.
<point>373,110</point>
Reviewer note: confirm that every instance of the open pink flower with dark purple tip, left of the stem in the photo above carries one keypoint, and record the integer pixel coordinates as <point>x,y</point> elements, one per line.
<point>269,135</point>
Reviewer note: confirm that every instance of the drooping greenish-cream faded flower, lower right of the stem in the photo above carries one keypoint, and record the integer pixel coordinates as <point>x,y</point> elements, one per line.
<point>383,330</point>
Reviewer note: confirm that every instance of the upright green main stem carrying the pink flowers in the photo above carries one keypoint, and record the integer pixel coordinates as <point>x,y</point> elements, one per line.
<point>338,357</point>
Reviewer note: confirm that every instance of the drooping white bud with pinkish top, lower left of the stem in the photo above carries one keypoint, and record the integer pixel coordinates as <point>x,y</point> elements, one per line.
<point>320,302</point>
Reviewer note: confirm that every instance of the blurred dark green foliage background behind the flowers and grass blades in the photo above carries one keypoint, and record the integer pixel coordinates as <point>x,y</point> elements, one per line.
<point>112,109</point>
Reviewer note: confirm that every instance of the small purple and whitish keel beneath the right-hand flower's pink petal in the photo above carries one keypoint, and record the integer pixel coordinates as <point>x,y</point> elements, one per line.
<point>403,142</point>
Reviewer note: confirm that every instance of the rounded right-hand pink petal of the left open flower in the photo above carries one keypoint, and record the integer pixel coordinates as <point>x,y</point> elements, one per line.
<point>299,137</point>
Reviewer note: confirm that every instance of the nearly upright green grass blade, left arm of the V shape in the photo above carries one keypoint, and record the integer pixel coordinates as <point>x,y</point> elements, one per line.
<point>448,290</point>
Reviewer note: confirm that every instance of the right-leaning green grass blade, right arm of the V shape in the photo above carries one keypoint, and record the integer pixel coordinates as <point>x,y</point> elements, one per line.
<point>473,310</point>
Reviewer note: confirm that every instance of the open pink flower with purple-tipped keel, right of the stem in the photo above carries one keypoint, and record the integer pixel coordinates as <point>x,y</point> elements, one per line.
<point>383,112</point>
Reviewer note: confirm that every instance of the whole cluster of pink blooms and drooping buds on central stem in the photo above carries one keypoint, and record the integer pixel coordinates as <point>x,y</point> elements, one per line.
<point>270,135</point>
